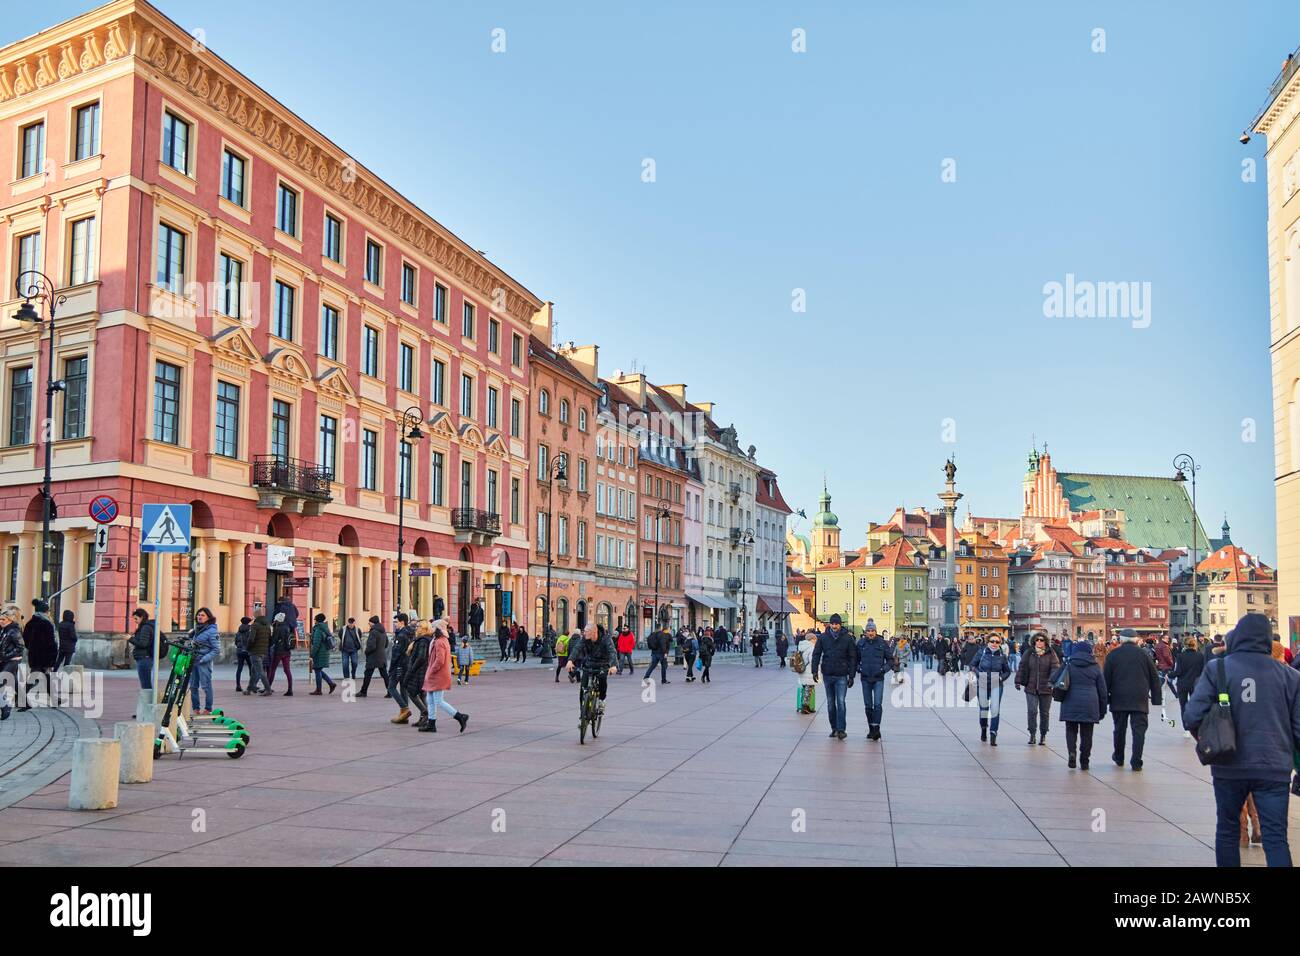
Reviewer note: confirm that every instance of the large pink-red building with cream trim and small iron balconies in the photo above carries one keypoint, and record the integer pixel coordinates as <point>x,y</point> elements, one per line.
<point>249,313</point>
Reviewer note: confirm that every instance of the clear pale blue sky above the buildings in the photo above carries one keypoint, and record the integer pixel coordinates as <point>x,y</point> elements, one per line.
<point>822,171</point>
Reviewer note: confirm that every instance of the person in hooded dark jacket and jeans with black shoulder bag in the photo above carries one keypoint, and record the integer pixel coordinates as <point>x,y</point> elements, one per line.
<point>1268,736</point>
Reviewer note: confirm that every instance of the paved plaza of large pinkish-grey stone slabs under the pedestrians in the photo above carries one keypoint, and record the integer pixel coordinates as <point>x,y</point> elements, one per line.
<point>708,775</point>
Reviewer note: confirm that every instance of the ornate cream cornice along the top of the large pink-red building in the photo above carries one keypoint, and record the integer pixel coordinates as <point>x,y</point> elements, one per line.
<point>138,31</point>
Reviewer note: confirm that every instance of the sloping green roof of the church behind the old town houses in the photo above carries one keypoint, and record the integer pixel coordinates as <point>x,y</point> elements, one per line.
<point>1158,511</point>
